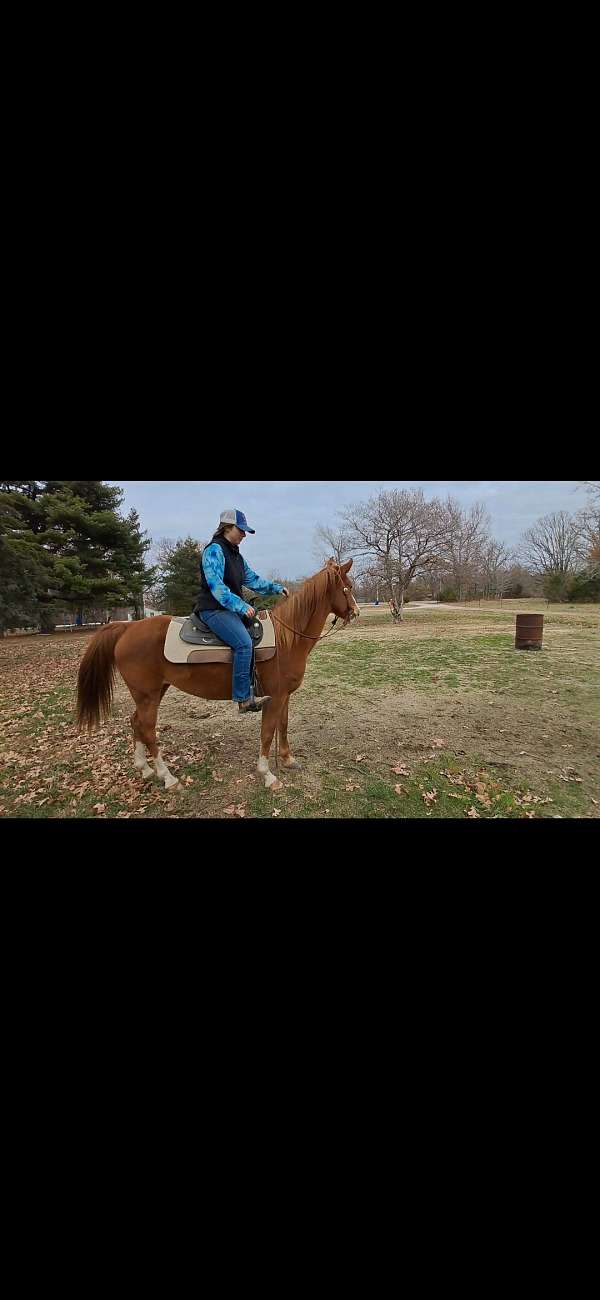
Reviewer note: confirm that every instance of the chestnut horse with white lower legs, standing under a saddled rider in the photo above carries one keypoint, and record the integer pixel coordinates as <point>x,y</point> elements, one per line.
<point>137,651</point>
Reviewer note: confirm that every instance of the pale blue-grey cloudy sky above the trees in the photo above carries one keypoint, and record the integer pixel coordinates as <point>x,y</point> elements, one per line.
<point>286,513</point>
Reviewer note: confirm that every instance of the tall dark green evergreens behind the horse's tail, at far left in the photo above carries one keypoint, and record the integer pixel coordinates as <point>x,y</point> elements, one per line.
<point>67,547</point>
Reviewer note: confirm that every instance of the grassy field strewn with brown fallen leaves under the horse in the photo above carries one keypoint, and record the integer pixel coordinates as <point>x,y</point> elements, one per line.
<point>437,718</point>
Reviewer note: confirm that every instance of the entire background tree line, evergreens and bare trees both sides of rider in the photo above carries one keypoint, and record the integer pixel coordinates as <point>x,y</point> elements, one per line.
<point>66,545</point>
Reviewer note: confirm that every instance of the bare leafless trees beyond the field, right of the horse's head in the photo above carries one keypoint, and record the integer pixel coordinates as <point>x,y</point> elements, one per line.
<point>411,548</point>
